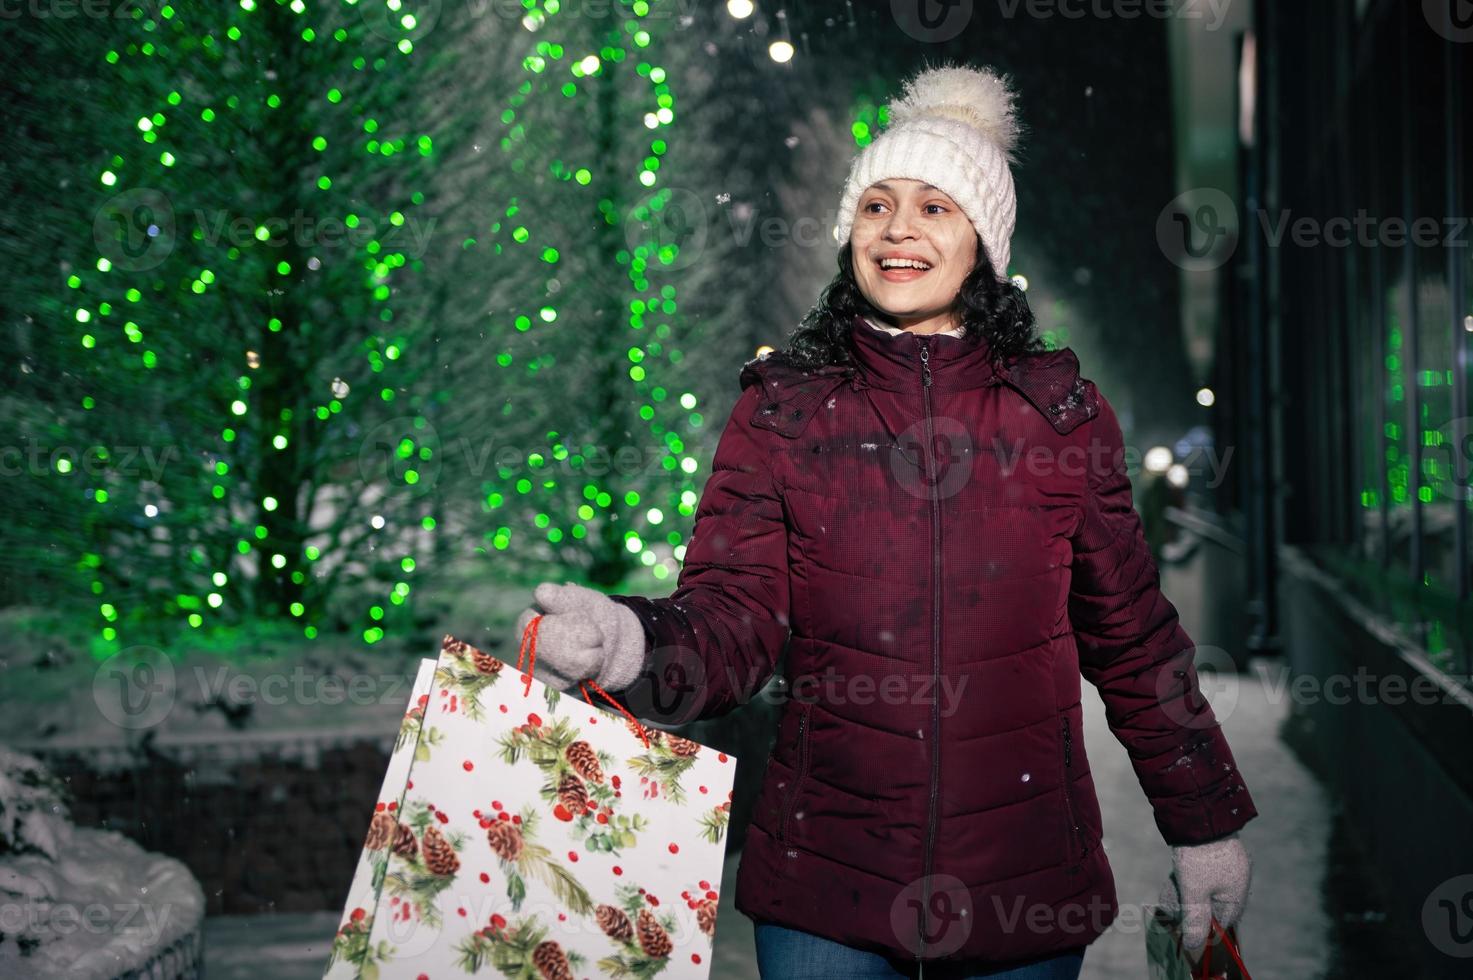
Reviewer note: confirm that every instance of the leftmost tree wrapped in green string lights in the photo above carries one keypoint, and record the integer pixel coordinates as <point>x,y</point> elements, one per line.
<point>254,325</point>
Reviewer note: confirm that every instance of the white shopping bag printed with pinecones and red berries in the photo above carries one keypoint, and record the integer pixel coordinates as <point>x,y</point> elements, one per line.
<point>537,836</point>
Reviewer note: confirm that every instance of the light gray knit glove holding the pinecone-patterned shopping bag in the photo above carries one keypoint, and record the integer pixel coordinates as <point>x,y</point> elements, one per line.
<point>584,634</point>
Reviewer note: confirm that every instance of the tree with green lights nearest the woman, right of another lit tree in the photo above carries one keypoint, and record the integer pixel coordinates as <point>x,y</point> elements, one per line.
<point>605,232</point>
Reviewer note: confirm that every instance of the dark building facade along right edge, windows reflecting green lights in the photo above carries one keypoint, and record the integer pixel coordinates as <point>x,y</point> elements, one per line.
<point>1347,360</point>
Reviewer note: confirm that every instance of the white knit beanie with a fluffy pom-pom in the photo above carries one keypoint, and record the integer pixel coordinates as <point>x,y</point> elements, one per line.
<point>955,129</point>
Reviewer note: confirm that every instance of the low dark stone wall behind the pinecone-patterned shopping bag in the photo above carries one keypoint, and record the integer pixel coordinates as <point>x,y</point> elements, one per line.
<point>275,823</point>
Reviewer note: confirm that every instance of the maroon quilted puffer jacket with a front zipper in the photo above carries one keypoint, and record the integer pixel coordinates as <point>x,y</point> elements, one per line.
<point>929,794</point>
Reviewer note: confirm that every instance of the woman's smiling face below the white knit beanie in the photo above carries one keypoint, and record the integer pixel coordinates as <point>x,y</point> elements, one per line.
<point>913,248</point>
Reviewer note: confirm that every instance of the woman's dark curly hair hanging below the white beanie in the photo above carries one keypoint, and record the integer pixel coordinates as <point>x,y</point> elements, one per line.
<point>994,310</point>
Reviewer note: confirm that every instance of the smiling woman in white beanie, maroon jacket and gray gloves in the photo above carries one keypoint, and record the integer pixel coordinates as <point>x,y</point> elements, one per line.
<point>938,512</point>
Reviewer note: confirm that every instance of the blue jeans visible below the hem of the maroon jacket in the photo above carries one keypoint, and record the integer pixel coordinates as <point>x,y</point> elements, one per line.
<point>789,954</point>
